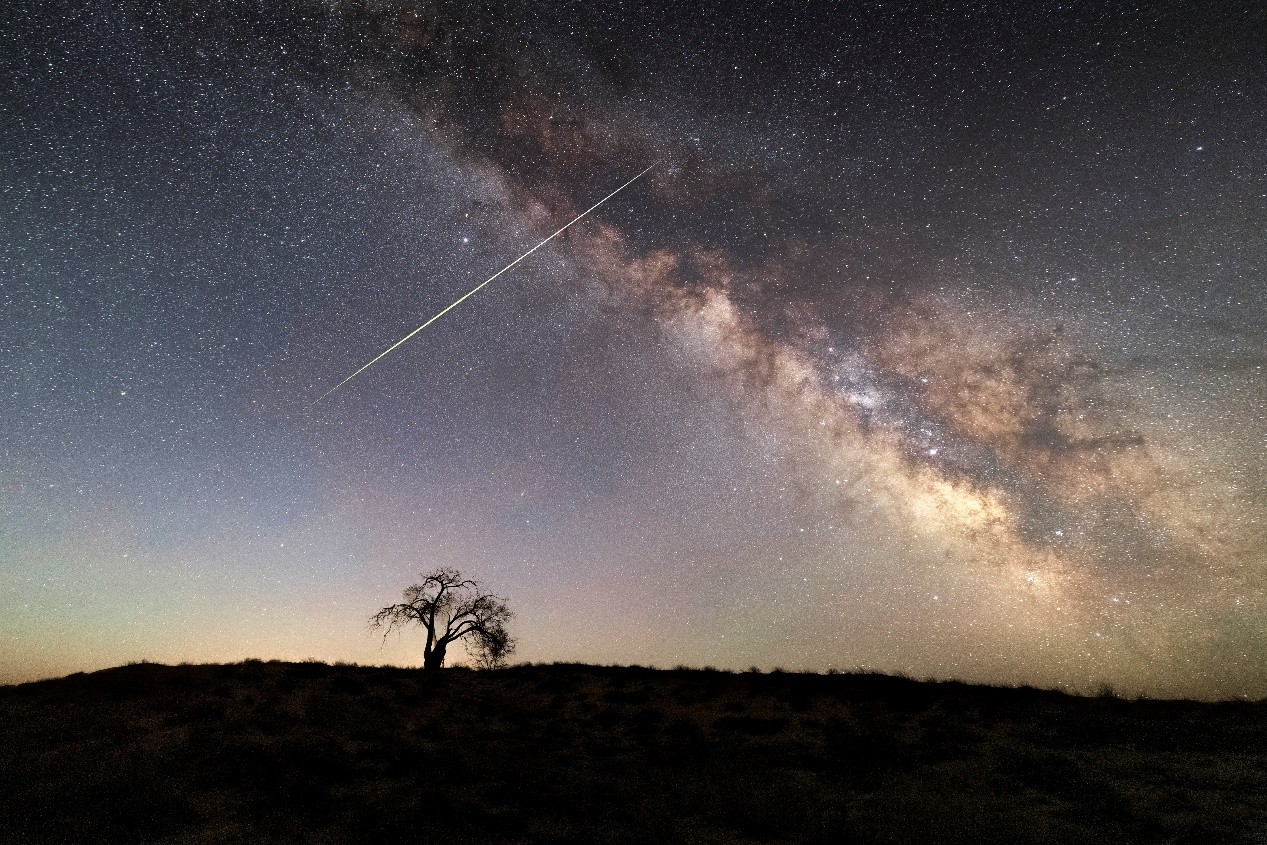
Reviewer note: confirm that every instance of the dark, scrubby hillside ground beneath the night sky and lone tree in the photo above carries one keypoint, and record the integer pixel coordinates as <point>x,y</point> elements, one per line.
<point>273,752</point>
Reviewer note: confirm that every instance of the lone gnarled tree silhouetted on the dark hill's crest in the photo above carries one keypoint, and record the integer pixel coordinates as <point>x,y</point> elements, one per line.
<point>452,607</point>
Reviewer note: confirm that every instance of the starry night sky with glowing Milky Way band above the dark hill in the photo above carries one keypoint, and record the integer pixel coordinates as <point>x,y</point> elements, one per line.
<point>934,341</point>
